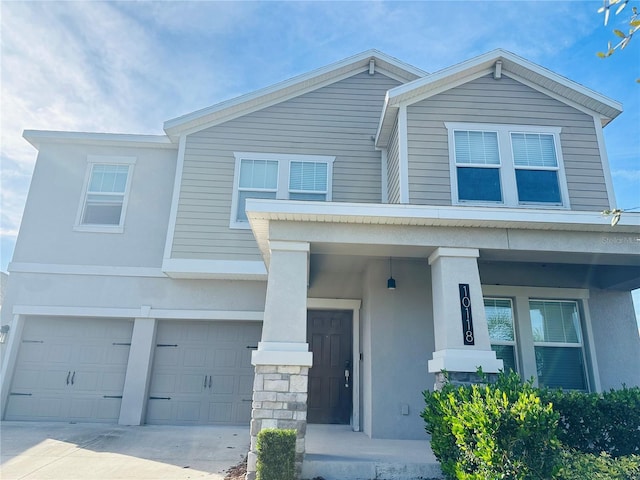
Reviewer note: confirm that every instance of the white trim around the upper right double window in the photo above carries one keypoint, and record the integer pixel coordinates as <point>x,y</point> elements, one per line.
<point>507,167</point>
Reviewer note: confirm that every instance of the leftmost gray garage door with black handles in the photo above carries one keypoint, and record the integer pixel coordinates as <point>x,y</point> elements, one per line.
<point>70,370</point>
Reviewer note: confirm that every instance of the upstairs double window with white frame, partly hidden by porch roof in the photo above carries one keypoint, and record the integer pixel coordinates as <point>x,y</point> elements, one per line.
<point>276,176</point>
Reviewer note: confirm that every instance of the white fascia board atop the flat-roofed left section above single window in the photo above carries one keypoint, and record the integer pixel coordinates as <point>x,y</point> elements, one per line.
<point>39,137</point>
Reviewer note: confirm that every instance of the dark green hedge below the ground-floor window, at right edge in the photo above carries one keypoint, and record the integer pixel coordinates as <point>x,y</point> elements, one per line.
<point>594,423</point>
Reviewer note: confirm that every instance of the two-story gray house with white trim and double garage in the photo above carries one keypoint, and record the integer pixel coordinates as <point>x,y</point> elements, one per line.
<point>320,250</point>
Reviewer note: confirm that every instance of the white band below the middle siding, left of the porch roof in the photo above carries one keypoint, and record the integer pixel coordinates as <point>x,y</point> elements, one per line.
<point>215,269</point>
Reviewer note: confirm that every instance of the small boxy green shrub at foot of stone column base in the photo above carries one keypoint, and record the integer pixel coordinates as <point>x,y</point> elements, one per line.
<point>276,454</point>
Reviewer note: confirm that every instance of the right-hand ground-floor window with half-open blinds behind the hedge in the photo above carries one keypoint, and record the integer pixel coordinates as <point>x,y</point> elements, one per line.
<point>558,344</point>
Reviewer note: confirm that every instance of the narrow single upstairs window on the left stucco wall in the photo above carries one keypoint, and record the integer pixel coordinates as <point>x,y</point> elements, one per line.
<point>105,195</point>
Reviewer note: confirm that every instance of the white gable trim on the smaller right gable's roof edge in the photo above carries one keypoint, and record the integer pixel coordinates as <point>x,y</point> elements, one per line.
<point>427,86</point>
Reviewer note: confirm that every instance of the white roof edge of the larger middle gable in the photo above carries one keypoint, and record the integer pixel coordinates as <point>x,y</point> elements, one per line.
<point>293,87</point>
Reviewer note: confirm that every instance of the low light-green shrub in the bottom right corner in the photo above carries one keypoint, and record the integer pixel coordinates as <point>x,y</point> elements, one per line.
<point>583,466</point>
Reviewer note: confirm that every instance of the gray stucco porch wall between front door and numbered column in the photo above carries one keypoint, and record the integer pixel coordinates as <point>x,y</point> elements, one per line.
<point>397,344</point>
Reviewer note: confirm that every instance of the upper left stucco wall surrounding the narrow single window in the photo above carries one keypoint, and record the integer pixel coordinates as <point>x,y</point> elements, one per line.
<point>46,233</point>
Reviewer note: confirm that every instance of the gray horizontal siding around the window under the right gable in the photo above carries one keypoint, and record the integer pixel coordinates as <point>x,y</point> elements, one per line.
<point>506,101</point>
